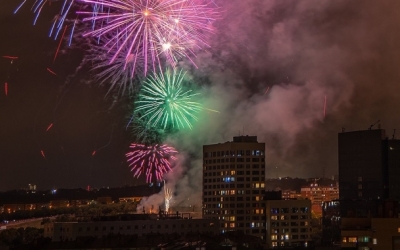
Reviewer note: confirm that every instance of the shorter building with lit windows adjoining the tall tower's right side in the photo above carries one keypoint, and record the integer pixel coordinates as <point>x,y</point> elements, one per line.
<point>288,223</point>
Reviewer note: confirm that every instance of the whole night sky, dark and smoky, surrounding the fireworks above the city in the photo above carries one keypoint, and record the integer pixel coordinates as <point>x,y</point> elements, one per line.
<point>300,51</point>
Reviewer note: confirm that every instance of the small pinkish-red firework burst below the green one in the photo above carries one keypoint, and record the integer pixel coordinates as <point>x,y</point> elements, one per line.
<point>153,161</point>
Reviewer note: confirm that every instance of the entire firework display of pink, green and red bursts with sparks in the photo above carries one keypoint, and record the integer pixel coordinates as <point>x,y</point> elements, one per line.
<point>126,39</point>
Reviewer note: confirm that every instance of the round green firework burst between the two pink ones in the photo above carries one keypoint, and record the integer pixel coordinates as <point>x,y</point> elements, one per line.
<point>165,103</point>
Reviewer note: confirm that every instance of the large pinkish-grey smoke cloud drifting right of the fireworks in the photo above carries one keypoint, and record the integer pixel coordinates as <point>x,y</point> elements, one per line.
<point>269,69</point>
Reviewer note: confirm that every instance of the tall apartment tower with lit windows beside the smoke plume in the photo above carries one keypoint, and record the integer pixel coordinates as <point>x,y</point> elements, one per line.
<point>234,185</point>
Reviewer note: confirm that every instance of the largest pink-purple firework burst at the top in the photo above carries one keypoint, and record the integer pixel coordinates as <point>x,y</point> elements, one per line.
<point>155,30</point>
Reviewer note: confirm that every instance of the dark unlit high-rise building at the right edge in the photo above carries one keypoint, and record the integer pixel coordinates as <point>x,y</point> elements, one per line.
<point>369,165</point>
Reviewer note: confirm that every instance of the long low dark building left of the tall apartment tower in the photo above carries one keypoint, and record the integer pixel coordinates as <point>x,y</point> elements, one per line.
<point>137,224</point>
